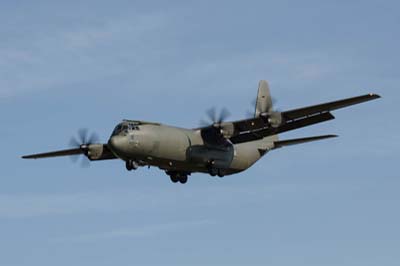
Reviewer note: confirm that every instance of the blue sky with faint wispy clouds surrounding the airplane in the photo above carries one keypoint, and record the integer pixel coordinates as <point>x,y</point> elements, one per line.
<point>67,65</point>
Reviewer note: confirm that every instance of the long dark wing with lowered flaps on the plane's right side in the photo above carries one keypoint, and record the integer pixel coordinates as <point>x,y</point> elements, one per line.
<point>258,128</point>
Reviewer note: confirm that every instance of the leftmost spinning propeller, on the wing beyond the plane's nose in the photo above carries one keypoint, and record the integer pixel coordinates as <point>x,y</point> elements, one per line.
<point>83,142</point>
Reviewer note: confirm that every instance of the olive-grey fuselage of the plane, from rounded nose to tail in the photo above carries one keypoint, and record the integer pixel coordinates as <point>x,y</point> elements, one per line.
<point>178,149</point>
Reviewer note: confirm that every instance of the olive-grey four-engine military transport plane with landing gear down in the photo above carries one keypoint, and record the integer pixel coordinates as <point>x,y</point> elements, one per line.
<point>219,148</point>
